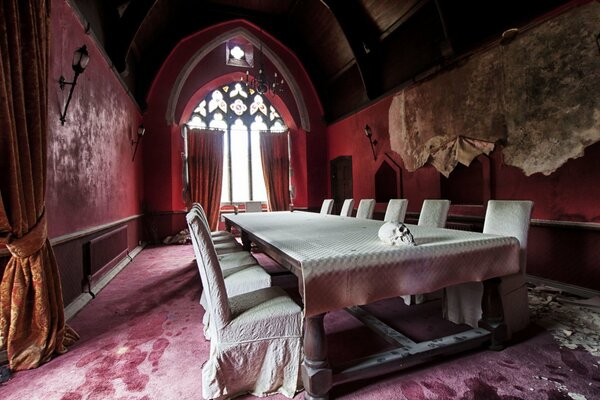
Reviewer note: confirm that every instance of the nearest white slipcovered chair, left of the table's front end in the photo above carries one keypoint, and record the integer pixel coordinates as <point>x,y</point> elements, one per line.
<point>256,337</point>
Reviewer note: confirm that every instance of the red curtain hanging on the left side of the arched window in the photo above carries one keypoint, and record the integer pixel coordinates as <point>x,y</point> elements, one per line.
<point>205,163</point>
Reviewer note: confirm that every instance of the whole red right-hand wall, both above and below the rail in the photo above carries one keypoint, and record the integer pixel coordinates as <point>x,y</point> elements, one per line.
<point>557,252</point>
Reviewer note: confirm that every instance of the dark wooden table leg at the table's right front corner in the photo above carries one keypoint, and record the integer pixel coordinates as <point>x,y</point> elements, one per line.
<point>492,318</point>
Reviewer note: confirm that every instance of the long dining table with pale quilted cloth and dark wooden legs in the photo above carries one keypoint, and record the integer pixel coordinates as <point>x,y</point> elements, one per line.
<point>341,263</point>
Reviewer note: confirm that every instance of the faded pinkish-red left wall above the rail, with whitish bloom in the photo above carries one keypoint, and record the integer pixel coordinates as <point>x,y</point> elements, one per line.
<point>91,179</point>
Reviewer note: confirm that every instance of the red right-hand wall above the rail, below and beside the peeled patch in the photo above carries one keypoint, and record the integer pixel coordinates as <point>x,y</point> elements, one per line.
<point>569,194</point>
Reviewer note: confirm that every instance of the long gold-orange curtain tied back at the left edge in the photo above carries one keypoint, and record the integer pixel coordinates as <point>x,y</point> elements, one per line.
<point>32,324</point>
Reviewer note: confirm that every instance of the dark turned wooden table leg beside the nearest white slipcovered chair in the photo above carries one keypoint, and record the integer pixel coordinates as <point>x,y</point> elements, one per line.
<point>316,373</point>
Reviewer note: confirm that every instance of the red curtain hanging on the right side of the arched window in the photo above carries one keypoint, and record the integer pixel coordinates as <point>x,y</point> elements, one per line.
<point>276,169</point>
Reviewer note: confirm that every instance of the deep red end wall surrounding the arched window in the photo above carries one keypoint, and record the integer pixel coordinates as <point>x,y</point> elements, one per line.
<point>163,164</point>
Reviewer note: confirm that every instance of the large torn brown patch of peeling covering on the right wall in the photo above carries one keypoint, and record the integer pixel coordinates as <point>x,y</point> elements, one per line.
<point>541,93</point>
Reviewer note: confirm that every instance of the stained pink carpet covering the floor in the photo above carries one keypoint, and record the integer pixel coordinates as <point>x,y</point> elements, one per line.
<point>141,339</point>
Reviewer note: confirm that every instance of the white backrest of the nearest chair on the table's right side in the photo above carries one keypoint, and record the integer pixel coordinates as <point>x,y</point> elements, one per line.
<point>510,218</point>
